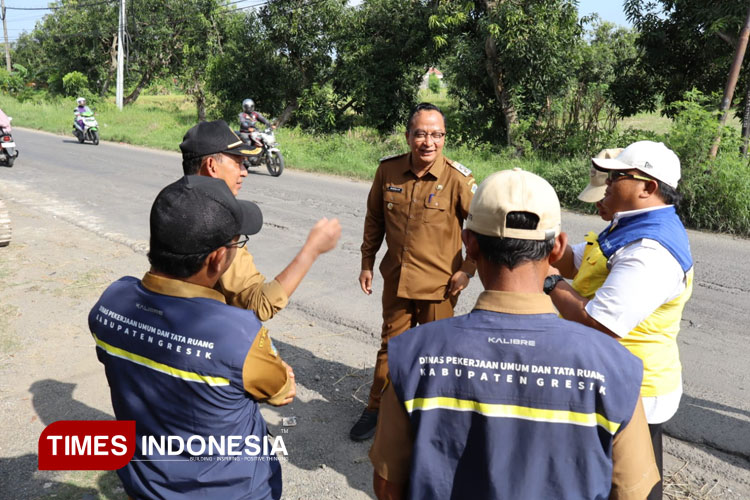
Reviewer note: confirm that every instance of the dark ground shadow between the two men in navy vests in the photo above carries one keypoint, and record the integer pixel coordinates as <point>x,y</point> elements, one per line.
<point>321,436</point>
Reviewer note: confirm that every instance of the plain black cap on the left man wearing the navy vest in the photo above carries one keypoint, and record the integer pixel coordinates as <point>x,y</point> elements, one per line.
<point>198,214</point>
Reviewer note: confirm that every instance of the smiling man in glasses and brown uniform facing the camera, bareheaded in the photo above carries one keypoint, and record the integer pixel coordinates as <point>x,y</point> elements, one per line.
<point>418,202</point>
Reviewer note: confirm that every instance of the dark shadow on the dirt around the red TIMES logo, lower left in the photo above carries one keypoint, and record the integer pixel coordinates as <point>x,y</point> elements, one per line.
<point>19,477</point>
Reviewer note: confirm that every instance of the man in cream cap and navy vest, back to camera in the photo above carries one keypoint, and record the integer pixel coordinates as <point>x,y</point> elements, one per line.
<point>463,416</point>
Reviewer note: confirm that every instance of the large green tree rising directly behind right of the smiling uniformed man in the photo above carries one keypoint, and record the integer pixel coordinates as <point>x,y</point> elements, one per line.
<point>506,58</point>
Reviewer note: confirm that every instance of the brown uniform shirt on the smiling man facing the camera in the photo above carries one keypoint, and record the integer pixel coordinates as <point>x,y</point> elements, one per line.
<point>421,220</point>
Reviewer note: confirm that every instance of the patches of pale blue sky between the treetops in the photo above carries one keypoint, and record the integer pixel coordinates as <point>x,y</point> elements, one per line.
<point>20,20</point>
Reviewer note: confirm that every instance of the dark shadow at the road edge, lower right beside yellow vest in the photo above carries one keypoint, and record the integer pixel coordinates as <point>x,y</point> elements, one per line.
<point>718,426</point>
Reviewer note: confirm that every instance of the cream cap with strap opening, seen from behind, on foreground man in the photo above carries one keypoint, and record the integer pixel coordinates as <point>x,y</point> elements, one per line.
<point>514,191</point>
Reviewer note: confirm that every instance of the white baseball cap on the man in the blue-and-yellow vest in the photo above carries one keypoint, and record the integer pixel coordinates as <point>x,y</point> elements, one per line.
<point>651,158</point>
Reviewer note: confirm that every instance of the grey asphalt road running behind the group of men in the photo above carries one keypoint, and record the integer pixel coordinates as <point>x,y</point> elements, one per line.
<point>109,188</point>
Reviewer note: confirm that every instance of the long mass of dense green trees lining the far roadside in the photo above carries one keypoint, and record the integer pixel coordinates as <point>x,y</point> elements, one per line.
<point>328,65</point>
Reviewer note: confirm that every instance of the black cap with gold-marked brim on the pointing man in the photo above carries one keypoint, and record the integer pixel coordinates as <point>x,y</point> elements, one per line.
<point>209,138</point>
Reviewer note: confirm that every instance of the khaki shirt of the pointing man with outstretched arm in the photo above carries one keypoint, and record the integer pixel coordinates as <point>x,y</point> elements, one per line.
<point>243,286</point>
